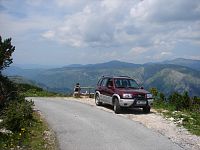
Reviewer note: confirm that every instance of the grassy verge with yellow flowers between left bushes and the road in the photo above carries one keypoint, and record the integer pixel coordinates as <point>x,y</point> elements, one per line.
<point>37,137</point>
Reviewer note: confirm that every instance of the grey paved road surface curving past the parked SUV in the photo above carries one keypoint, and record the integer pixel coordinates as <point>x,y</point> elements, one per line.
<point>80,126</point>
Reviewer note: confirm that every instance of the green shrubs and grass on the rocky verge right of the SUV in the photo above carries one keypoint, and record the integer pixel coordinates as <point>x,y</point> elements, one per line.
<point>179,108</point>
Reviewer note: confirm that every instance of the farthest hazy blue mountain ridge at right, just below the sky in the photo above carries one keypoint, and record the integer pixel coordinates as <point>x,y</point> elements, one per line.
<point>194,64</point>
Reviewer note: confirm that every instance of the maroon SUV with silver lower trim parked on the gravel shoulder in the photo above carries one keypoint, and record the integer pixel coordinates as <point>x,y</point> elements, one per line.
<point>122,92</point>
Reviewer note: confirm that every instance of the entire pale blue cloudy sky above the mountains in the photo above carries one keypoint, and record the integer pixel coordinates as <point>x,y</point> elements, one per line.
<point>62,32</point>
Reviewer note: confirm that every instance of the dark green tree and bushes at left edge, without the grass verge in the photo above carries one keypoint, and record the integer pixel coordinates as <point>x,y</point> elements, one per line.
<point>16,112</point>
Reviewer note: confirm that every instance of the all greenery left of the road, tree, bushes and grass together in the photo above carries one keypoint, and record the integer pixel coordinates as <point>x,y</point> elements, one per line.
<point>20,126</point>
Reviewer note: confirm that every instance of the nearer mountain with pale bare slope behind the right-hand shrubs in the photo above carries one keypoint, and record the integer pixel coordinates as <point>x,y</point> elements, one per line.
<point>170,79</point>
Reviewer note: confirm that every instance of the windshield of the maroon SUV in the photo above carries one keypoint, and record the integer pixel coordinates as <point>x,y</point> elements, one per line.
<point>126,83</point>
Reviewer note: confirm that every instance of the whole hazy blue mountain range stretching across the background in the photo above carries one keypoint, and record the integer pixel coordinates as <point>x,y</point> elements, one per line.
<point>166,77</point>
